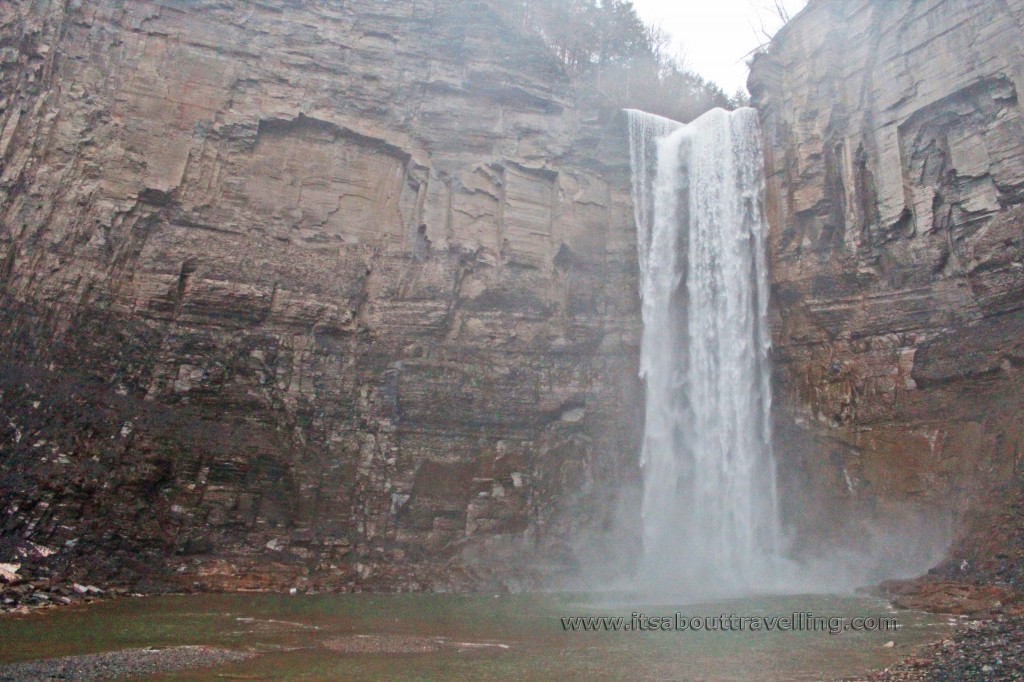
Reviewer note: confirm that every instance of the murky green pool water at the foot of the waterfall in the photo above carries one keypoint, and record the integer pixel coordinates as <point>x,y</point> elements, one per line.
<point>507,637</point>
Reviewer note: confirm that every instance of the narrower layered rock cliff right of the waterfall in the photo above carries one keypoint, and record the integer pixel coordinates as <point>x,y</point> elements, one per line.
<point>897,162</point>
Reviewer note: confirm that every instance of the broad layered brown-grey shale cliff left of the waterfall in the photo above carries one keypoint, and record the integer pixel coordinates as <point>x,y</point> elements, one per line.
<point>313,294</point>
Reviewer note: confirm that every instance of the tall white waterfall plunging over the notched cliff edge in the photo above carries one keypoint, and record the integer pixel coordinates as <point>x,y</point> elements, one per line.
<point>710,509</point>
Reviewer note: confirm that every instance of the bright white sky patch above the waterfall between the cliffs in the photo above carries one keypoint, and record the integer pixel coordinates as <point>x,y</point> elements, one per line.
<point>714,36</point>
